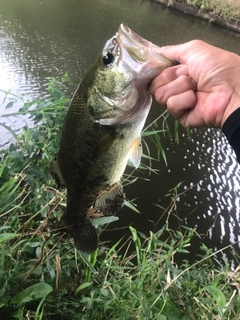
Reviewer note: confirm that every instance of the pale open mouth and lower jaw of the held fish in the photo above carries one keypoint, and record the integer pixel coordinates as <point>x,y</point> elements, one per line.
<point>141,61</point>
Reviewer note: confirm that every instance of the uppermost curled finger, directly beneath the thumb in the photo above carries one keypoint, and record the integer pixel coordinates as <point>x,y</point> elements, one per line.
<point>166,76</point>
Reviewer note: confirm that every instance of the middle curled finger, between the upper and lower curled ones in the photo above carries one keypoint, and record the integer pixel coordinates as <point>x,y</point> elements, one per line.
<point>180,85</point>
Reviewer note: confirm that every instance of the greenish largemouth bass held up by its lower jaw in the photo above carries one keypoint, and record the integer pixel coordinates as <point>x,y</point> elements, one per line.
<point>102,131</point>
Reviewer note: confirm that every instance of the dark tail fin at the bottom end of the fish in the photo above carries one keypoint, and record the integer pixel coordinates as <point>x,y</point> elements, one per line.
<point>83,233</point>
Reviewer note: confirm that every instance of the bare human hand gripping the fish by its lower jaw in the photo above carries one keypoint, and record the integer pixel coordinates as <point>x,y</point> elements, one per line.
<point>204,89</point>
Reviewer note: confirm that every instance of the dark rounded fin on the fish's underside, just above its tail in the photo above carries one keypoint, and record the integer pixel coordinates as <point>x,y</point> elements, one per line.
<point>110,201</point>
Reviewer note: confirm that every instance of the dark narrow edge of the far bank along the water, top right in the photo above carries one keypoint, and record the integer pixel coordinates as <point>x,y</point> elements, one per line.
<point>213,18</point>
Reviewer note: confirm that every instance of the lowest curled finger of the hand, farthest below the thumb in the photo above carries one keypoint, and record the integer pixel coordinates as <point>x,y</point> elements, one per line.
<point>180,105</point>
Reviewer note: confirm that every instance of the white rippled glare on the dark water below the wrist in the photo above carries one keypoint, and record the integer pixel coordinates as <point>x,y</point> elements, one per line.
<point>218,185</point>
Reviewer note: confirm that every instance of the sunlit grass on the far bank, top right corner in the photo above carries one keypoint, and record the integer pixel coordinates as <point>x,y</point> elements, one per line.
<point>225,13</point>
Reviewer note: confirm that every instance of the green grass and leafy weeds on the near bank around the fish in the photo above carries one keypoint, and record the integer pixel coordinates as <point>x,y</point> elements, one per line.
<point>42,276</point>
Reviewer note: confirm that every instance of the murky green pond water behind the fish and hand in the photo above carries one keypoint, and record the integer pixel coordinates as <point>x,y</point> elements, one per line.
<point>44,39</point>
